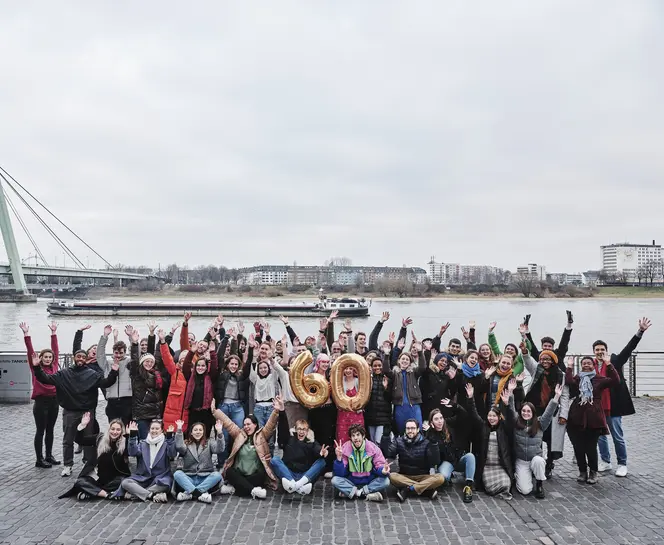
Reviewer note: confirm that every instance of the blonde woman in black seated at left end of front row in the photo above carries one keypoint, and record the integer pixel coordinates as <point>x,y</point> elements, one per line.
<point>112,461</point>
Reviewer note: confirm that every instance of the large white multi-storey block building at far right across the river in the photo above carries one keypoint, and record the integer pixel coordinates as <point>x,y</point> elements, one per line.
<point>631,261</point>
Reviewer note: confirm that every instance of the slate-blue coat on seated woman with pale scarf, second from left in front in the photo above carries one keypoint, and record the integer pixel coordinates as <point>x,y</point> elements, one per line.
<point>160,473</point>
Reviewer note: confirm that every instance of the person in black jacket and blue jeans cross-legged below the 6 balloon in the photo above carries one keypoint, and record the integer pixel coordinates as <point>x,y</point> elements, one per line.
<point>303,460</point>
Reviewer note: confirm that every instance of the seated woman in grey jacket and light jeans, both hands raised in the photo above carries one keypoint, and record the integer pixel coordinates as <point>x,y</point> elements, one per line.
<point>198,475</point>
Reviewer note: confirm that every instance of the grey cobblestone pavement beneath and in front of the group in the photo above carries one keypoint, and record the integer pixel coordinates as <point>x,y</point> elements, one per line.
<point>615,511</point>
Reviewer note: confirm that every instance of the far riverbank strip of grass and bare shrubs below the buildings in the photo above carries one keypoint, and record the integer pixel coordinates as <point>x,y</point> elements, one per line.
<point>222,293</point>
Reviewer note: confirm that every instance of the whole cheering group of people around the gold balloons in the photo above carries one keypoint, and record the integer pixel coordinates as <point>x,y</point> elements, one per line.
<point>218,407</point>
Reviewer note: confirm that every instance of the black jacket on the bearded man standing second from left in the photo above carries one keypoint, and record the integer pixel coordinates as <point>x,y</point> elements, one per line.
<point>77,387</point>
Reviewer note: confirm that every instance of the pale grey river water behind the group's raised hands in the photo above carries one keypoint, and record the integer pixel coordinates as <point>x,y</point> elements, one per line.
<point>612,320</point>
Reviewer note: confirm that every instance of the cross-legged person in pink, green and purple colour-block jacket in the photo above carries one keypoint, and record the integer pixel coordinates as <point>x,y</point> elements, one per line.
<point>360,469</point>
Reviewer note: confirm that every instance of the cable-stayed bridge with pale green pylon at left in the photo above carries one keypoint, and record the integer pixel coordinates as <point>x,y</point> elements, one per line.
<point>18,271</point>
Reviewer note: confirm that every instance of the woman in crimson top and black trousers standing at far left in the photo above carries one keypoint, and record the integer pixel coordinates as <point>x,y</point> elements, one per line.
<point>45,408</point>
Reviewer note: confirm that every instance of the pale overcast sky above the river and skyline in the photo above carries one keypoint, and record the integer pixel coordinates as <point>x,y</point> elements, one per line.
<point>236,134</point>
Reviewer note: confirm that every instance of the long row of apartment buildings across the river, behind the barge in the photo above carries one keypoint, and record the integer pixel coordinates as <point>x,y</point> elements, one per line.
<point>314,275</point>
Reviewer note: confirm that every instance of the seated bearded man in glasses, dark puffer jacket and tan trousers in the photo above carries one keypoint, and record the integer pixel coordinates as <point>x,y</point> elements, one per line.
<point>418,460</point>
